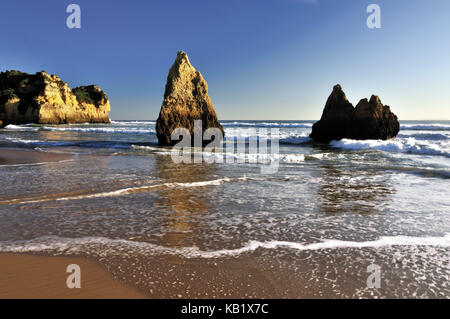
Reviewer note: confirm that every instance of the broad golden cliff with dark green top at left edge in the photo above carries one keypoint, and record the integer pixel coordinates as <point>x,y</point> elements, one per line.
<point>45,99</point>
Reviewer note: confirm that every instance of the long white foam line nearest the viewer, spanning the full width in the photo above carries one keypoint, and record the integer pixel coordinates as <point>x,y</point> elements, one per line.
<point>74,245</point>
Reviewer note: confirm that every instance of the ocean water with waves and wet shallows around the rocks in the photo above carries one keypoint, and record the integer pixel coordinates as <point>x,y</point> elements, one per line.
<point>310,229</point>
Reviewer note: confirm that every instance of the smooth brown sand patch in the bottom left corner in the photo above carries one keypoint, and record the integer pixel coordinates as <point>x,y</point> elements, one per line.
<point>39,277</point>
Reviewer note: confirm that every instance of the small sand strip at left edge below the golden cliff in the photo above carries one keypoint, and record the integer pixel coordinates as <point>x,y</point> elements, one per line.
<point>10,156</point>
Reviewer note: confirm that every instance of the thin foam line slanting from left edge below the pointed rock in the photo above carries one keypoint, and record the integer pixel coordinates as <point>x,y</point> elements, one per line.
<point>123,191</point>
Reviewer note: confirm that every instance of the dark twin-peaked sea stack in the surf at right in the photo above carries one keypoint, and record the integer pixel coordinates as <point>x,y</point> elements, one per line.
<point>370,119</point>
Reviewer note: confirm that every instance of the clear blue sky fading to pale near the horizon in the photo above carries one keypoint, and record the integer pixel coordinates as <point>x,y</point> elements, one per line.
<point>274,59</point>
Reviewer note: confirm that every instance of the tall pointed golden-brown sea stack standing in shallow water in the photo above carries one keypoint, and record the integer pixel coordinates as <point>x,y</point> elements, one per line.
<point>185,100</point>
